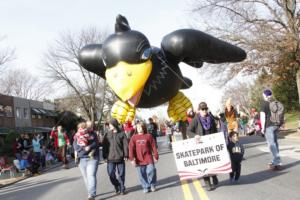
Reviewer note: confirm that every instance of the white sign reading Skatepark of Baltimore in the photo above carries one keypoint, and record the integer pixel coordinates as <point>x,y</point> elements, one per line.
<point>198,159</point>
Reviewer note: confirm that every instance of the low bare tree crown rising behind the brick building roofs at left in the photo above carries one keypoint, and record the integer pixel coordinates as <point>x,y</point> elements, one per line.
<point>20,83</point>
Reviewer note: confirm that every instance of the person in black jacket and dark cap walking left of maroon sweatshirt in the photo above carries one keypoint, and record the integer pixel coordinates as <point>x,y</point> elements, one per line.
<point>115,151</point>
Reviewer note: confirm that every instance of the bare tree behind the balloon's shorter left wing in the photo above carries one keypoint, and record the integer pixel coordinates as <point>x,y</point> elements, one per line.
<point>62,66</point>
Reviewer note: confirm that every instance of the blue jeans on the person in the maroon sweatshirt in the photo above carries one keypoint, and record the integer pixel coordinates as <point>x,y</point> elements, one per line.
<point>147,175</point>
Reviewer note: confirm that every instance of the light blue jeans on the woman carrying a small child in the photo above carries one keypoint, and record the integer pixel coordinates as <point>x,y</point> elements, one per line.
<point>88,168</point>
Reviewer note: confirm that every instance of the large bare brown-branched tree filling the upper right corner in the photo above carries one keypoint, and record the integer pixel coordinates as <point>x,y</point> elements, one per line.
<point>268,29</point>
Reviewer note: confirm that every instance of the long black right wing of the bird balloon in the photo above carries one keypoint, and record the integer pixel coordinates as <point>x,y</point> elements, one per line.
<point>195,47</point>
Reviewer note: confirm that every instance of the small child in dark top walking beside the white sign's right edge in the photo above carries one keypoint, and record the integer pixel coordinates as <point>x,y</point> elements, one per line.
<point>236,151</point>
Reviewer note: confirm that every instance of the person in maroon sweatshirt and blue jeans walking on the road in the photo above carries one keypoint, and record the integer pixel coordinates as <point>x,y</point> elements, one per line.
<point>141,147</point>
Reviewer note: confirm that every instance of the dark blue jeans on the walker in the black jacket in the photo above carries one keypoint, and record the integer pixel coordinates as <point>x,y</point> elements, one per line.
<point>111,170</point>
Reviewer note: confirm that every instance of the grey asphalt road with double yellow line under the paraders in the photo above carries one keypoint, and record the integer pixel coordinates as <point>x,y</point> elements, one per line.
<point>256,183</point>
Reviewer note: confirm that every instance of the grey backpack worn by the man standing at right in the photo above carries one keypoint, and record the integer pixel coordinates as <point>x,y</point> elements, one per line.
<point>277,113</point>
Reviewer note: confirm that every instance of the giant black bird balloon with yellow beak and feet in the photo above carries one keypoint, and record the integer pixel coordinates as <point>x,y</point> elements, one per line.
<point>145,76</point>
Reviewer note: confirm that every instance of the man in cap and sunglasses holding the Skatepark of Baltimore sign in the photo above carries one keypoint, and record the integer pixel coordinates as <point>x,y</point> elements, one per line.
<point>203,124</point>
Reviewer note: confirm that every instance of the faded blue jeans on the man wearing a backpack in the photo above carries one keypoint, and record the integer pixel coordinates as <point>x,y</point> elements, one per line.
<point>271,137</point>
